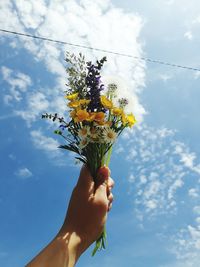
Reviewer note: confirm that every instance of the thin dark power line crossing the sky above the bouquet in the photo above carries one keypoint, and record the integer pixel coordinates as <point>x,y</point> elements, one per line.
<point>101,50</point>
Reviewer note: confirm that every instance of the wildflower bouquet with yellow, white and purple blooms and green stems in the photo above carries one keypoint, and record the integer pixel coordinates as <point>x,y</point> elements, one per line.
<point>96,117</point>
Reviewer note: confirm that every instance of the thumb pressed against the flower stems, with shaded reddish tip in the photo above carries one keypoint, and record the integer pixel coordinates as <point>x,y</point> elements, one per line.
<point>102,181</point>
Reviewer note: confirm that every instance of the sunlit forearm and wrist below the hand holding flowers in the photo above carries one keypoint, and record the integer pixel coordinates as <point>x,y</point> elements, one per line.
<point>62,251</point>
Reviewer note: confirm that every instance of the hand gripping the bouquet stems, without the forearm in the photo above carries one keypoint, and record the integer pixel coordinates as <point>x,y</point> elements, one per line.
<point>88,207</point>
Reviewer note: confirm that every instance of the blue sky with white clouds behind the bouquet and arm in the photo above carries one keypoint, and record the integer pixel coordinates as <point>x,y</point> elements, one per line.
<point>155,219</point>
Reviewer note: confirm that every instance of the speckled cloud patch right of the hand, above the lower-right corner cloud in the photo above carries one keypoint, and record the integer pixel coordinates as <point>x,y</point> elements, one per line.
<point>159,169</point>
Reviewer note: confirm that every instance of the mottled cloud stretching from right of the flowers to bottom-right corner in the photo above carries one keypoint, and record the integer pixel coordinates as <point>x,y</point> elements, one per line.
<point>163,181</point>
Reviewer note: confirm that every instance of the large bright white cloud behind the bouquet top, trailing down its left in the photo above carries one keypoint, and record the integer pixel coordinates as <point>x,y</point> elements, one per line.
<point>92,23</point>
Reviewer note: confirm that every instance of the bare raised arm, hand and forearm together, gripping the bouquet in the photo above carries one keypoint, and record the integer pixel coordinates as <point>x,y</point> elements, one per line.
<point>86,215</point>
